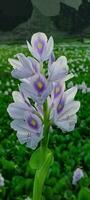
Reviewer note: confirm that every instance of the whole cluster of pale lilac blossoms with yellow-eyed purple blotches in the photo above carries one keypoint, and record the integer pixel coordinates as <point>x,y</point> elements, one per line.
<point>28,120</point>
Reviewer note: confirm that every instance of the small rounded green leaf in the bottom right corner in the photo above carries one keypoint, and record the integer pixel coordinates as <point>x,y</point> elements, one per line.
<point>84,194</point>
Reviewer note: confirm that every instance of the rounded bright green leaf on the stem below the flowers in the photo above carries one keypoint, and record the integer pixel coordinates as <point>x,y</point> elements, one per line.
<point>38,158</point>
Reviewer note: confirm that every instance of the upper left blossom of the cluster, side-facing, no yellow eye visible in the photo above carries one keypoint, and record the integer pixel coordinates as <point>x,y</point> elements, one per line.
<point>24,67</point>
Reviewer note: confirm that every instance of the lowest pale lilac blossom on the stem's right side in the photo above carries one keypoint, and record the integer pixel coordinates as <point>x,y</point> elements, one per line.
<point>63,112</point>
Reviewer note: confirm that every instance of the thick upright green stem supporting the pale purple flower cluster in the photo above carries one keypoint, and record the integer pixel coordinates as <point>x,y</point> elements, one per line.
<point>41,173</point>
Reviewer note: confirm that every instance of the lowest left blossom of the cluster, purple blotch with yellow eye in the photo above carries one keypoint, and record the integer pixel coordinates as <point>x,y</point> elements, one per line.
<point>25,121</point>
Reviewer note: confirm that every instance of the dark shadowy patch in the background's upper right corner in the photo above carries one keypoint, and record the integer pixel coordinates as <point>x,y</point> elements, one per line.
<point>72,20</point>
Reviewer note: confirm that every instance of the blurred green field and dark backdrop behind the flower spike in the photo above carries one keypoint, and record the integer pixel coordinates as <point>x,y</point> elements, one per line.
<point>71,31</point>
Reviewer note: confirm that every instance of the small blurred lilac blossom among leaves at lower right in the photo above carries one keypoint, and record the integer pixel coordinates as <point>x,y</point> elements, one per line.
<point>78,174</point>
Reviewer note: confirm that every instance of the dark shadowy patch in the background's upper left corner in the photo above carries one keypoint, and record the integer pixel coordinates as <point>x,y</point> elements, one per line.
<point>14,12</point>
